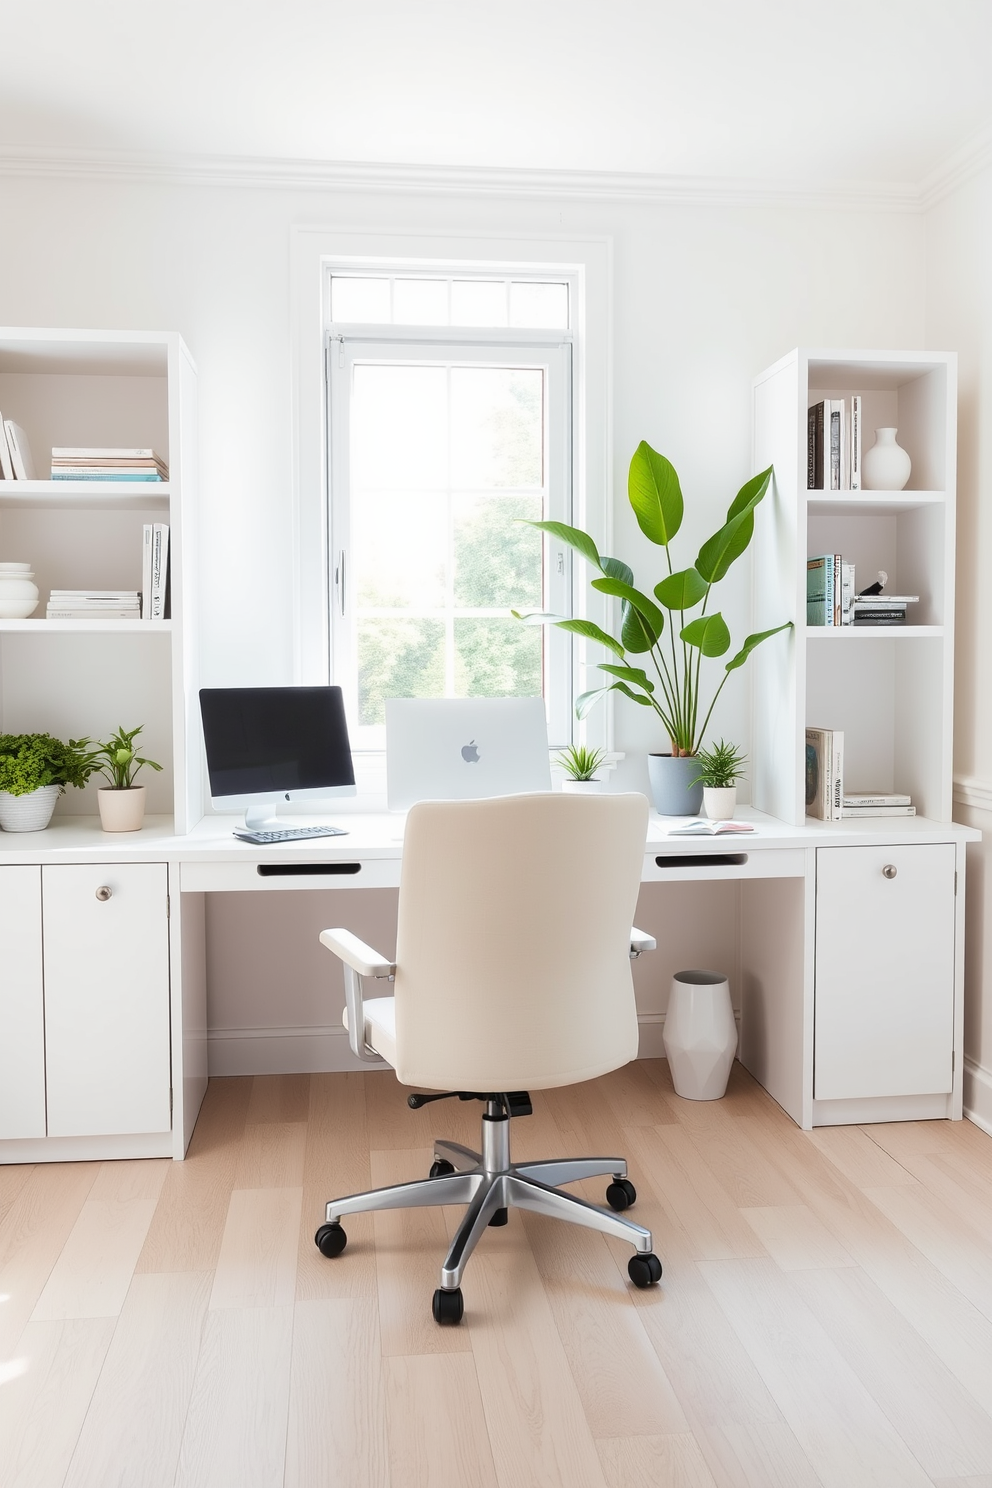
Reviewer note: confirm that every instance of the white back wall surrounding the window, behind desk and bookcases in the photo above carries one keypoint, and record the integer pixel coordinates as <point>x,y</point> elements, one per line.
<point>704,298</point>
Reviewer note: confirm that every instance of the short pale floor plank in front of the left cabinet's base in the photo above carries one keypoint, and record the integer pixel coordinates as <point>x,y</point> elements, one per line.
<point>94,1270</point>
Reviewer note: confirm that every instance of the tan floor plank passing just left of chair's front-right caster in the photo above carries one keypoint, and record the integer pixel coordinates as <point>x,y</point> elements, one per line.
<point>619,1377</point>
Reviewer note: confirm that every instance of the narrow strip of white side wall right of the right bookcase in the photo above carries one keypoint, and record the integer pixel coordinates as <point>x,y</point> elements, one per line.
<point>960,316</point>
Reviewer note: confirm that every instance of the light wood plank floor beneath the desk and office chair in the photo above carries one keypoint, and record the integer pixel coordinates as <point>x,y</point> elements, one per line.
<point>825,1318</point>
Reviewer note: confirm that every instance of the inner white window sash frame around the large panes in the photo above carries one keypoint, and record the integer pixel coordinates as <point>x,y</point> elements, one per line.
<point>551,352</point>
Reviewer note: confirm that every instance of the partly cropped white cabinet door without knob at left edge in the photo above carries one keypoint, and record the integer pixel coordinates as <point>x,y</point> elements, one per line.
<point>22,1005</point>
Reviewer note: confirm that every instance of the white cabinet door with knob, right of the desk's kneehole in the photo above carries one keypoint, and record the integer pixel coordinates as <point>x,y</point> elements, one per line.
<point>886,971</point>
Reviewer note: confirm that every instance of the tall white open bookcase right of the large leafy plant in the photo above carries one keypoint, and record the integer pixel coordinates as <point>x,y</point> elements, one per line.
<point>887,688</point>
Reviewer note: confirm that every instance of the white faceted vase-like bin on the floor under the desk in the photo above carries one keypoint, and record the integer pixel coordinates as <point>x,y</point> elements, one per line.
<point>701,1035</point>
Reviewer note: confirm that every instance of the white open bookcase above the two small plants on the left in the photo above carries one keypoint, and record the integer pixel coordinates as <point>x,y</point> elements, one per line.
<point>75,678</point>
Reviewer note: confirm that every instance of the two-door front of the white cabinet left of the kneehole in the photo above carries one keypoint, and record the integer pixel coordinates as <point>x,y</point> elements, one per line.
<point>86,1017</point>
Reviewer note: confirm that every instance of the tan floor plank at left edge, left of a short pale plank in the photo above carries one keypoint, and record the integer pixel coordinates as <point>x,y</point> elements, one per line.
<point>32,1237</point>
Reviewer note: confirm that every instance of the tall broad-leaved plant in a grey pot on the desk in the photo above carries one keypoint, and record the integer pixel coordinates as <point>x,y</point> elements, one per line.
<point>663,629</point>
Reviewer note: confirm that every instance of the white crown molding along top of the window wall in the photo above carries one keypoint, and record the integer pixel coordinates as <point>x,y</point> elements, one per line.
<point>454,181</point>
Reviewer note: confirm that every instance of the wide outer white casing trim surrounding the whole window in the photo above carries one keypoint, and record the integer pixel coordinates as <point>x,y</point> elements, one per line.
<point>590,261</point>
